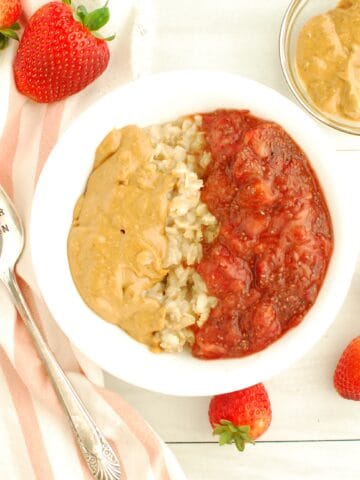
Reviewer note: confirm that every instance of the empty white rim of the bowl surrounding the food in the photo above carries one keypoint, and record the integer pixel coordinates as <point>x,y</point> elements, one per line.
<point>155,99</point>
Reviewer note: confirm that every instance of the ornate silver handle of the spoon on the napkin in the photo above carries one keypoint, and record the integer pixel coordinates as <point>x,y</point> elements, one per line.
<point>95,449</point>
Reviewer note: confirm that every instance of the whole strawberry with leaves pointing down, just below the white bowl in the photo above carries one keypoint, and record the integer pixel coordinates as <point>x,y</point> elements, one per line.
<point>240,417</point>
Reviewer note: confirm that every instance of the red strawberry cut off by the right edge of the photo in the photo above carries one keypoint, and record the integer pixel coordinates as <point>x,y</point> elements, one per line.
<point>347,372</point>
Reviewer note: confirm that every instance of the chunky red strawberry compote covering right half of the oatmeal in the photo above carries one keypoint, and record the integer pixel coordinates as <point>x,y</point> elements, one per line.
<point>275,239</point>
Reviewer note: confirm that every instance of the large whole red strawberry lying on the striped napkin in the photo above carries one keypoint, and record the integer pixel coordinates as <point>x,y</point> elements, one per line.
<point>60,52</point>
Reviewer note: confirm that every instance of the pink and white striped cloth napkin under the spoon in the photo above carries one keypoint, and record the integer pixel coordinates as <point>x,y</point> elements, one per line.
<point>35,438</point>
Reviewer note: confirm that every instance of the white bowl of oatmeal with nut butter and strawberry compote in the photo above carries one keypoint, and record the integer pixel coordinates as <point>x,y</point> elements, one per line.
<point>201,236</point>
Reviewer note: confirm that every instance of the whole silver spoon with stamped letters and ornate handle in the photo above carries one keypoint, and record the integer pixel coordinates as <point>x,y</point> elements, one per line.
<point>95,449</point>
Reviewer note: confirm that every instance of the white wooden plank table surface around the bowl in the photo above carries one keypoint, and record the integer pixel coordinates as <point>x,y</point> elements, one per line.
<point>314,433</point>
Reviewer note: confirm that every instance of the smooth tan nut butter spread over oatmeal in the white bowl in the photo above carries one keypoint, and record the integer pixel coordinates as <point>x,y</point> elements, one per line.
<point>114,258</point>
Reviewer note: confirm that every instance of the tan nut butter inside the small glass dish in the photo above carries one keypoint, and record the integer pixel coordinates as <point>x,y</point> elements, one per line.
<point>328,60</point>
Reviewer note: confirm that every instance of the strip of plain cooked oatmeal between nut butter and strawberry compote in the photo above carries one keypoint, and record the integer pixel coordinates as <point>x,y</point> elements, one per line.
<point>179,150</point>
